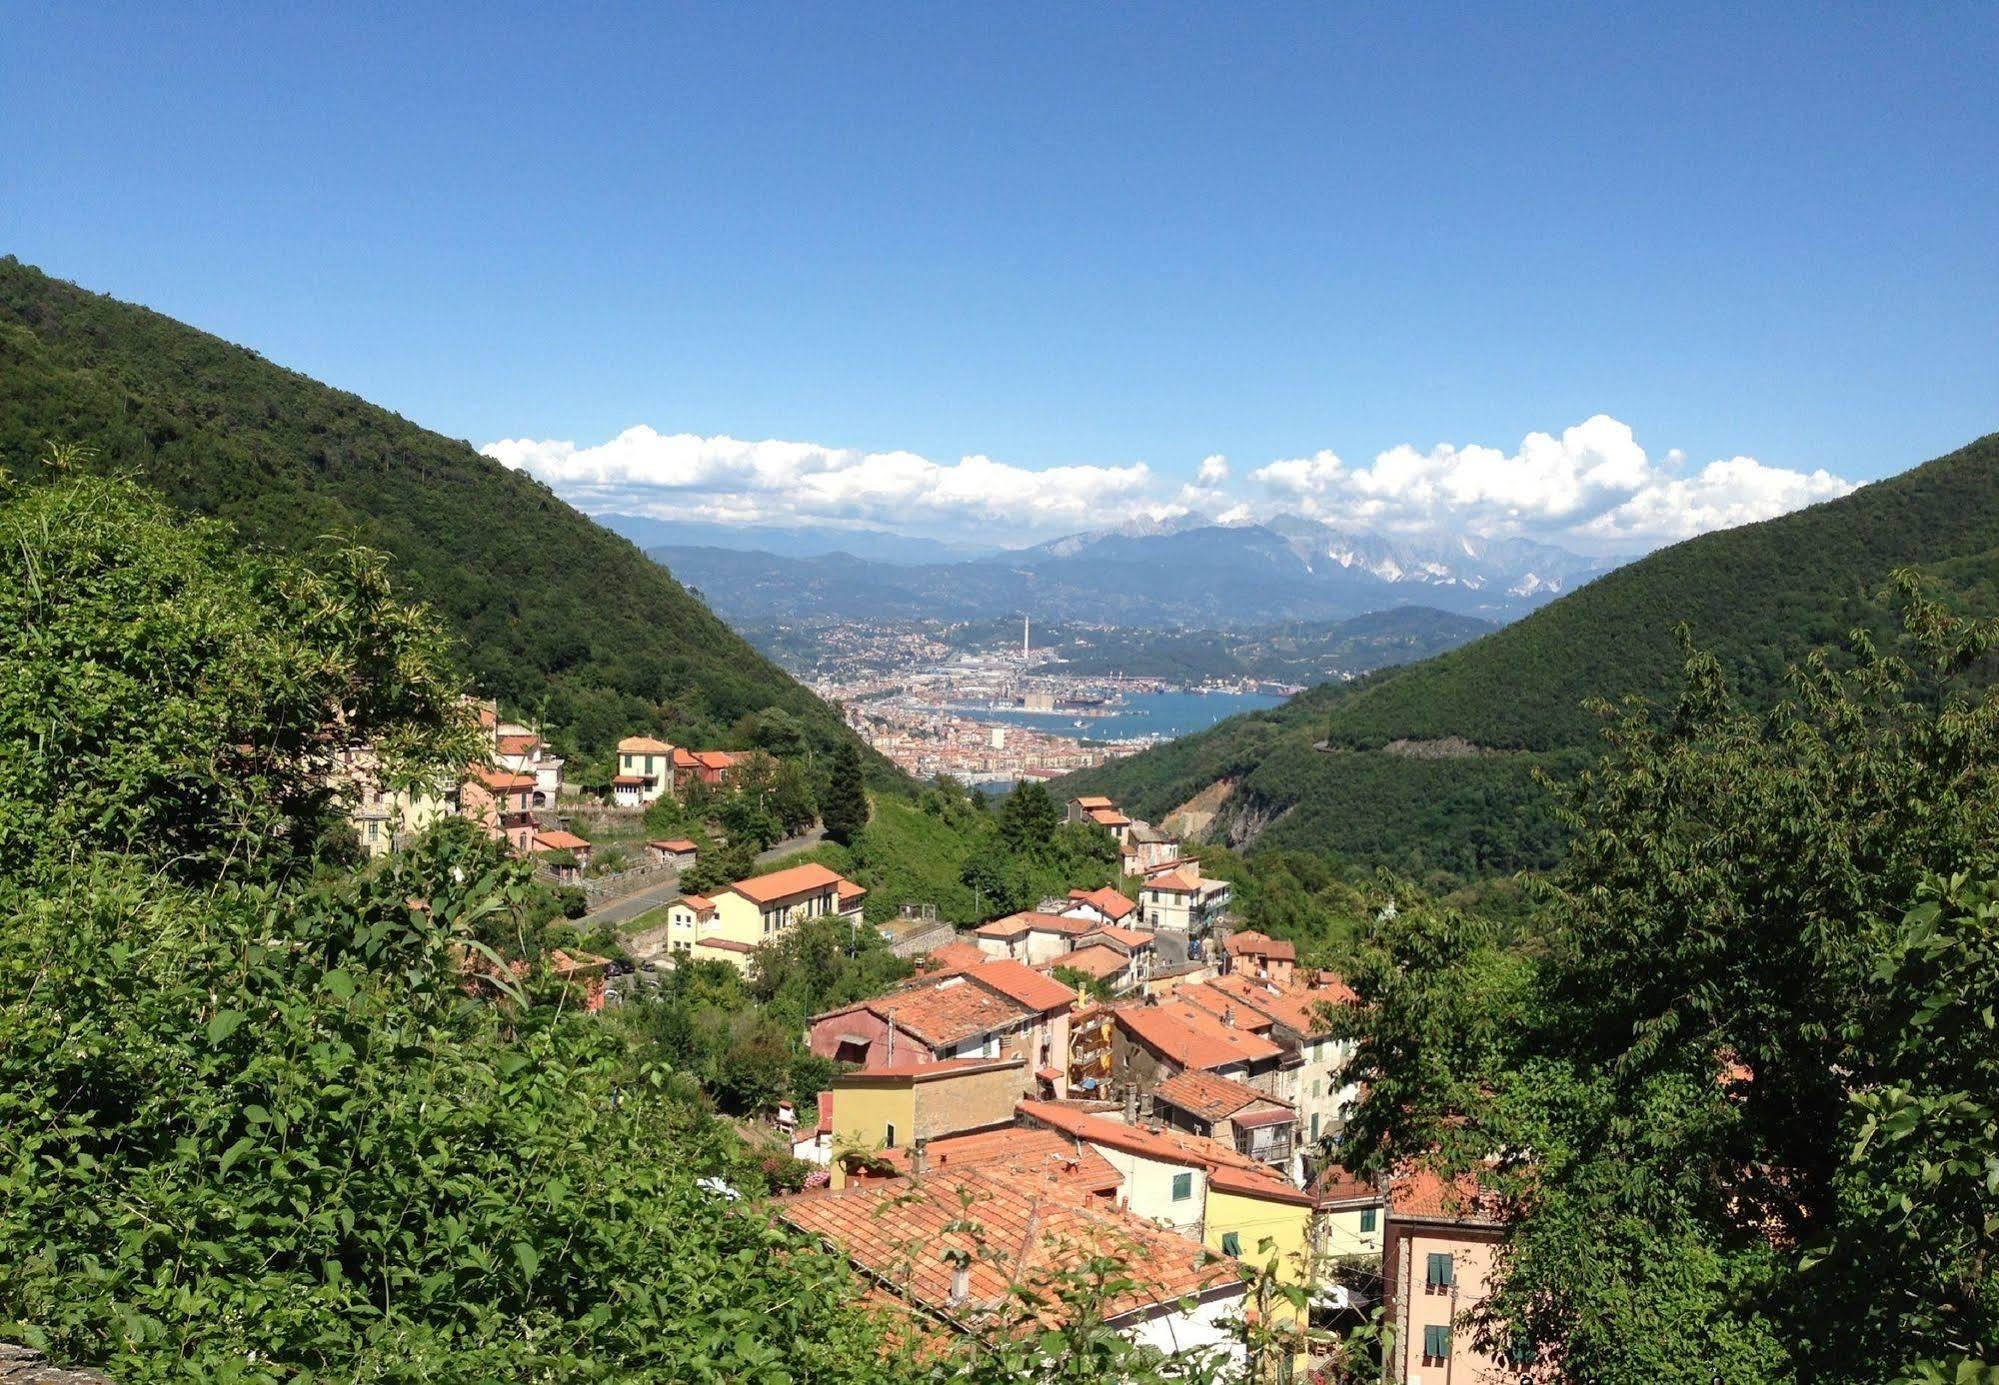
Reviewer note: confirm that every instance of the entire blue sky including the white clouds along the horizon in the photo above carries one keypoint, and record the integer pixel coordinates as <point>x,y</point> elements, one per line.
<point>1110,241</point>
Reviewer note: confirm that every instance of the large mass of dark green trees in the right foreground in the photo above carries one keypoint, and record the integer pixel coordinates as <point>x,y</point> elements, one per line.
<point>1730,1048</point>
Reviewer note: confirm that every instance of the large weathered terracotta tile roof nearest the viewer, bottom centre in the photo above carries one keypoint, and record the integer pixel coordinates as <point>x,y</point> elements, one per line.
<point>903,1230</point>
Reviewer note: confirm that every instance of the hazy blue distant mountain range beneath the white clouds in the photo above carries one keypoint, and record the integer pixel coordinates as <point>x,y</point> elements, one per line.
<point>1214,577</point>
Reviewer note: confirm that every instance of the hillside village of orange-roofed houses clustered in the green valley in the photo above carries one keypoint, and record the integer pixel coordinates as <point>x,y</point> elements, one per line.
<point>1132,1068</point>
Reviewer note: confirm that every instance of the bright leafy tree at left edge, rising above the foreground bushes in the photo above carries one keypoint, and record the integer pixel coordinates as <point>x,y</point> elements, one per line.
<point>165,694</point>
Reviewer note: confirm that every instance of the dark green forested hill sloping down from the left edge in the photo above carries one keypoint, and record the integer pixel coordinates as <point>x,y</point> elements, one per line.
<point>559,619</point>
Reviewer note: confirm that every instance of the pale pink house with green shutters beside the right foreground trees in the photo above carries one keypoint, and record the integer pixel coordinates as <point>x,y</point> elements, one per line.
<point>1436,1268</point>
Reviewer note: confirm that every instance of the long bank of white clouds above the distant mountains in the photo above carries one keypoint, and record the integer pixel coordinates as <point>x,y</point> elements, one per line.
<point>1590,489</point>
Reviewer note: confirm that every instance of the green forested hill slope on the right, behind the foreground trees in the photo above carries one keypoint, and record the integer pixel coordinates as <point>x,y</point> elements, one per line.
<point>1430,766</point>
